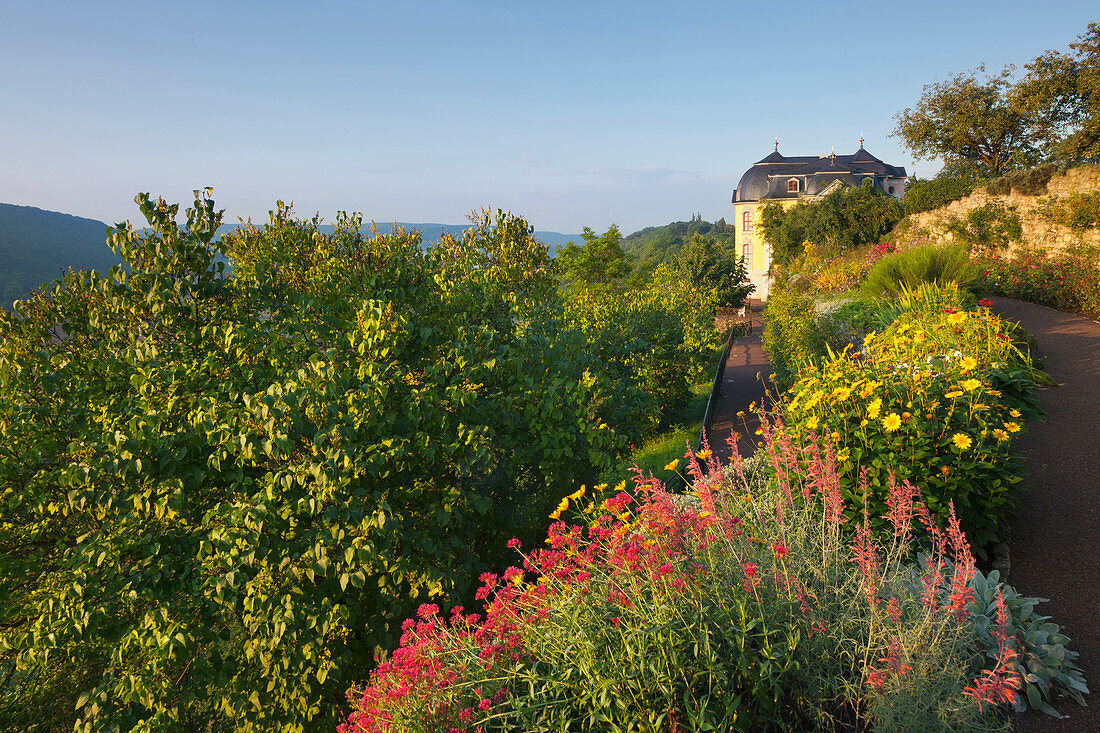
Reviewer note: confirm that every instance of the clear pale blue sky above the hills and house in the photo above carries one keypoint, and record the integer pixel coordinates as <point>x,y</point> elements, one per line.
<point>570,114</point>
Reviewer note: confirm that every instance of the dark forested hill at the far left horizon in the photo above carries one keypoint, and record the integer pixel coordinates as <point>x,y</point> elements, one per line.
<point>38,246</point>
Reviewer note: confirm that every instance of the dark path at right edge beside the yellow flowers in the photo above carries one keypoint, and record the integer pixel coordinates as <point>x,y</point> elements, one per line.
<point>1055,543</point>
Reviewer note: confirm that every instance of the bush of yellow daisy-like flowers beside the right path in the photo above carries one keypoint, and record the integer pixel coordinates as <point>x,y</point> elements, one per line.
<point>938,399</point>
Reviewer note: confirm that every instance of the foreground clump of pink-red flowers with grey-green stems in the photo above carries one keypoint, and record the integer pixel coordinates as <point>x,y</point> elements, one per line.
<point>740,611</point>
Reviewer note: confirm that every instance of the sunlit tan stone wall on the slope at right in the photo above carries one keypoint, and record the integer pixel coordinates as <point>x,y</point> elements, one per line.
<point>1039,232</point>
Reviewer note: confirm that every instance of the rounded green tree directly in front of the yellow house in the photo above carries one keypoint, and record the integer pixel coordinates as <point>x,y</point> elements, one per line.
<point>843,221</point>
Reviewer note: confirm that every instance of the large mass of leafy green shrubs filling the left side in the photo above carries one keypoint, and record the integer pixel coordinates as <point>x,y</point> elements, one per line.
<point>222,495</point>
